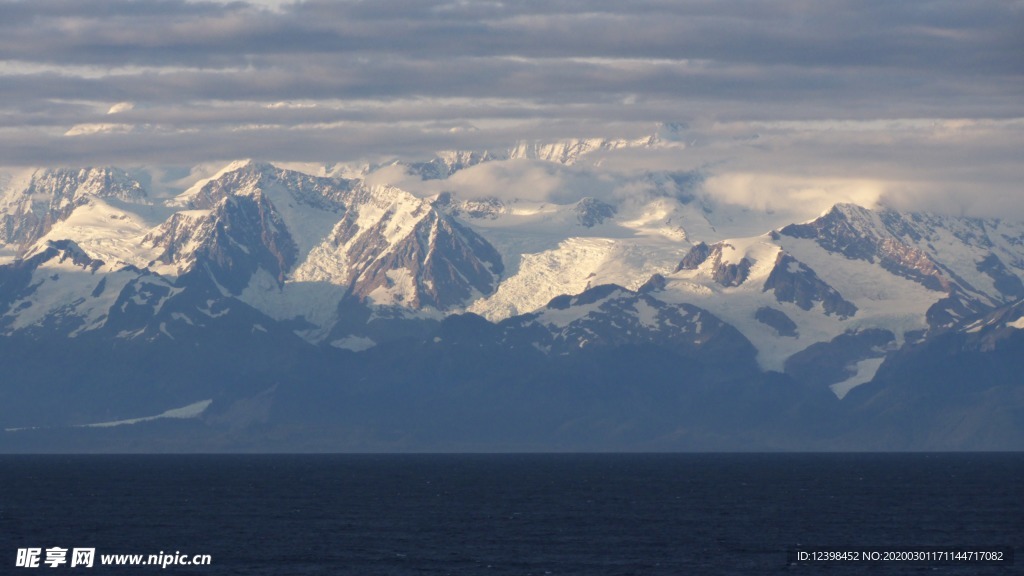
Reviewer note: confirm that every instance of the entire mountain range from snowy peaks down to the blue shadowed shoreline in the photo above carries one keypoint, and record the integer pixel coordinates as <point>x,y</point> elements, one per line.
<point>270,308</point>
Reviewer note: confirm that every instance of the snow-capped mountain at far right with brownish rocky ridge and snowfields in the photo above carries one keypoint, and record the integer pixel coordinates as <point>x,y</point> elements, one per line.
<point>852,271</point>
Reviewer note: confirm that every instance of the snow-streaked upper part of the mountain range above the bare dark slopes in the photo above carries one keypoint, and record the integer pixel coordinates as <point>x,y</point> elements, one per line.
<point>353,266</point>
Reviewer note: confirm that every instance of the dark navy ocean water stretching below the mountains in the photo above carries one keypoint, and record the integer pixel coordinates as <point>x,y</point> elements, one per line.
<point>498,515</point>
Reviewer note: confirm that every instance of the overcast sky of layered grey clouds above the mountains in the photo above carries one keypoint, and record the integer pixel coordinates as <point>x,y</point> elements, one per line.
<point>903,94</point>
